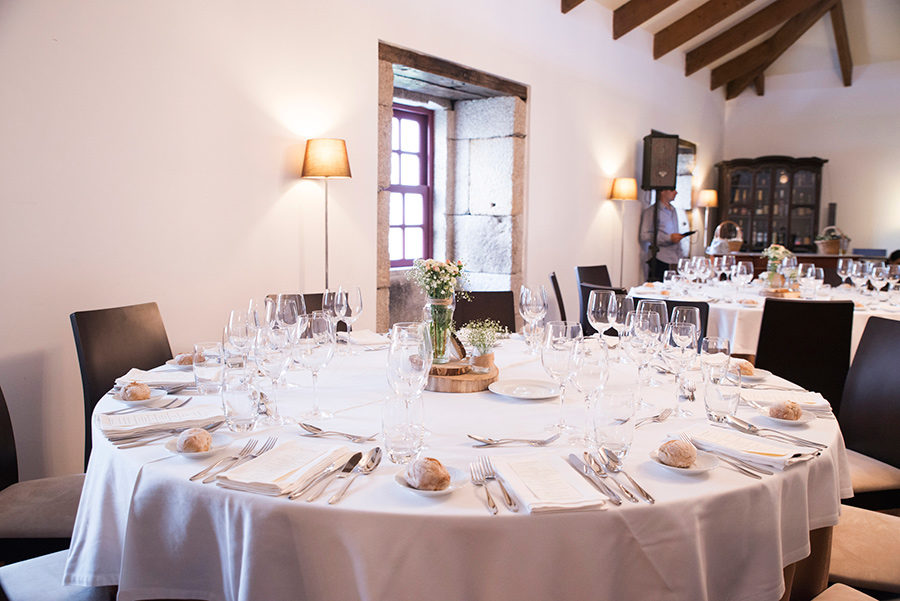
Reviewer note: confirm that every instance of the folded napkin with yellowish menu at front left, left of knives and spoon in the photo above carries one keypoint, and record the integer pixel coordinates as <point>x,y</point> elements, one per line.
<point>288,466</point>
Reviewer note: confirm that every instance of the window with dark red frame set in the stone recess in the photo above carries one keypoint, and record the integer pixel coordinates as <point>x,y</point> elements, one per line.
<point>410,212</point>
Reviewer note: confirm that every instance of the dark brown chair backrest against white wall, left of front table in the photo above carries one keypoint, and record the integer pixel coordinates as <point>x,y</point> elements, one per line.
<point>109,343</point>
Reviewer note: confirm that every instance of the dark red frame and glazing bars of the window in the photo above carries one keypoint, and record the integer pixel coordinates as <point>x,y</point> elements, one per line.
<point>425,118</point>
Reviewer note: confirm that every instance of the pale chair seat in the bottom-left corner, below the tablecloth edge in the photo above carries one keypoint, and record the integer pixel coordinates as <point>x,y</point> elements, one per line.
<point>40,579</point>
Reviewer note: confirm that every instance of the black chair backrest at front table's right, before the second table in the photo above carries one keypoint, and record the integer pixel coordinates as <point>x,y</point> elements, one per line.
<point>808,343</point>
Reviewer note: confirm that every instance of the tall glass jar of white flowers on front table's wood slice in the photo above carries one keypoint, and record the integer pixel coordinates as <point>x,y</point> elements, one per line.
<point>439,280</point>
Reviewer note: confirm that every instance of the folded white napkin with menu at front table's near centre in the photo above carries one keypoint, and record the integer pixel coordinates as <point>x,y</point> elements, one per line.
<point>547,483</point>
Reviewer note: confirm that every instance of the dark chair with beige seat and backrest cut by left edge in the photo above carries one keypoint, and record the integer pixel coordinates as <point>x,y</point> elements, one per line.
<point>36,516</point>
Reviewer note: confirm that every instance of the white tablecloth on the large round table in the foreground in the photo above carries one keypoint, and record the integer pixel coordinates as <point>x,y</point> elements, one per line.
<point>720,536</point>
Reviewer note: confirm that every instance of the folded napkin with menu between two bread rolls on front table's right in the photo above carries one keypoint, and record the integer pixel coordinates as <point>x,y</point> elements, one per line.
<point>755,449</point>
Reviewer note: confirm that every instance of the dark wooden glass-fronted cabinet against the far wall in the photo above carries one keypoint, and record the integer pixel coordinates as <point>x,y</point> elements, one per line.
<point>775,200</point>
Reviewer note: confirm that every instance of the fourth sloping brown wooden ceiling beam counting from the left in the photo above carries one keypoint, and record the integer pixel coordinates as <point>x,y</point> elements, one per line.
<point>746,31</point>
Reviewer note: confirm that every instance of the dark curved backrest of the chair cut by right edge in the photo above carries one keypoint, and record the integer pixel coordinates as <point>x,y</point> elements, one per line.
<point>870,407</point>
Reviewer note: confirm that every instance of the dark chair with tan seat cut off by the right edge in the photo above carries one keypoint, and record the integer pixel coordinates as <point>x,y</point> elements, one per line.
<point>870,416</point>
